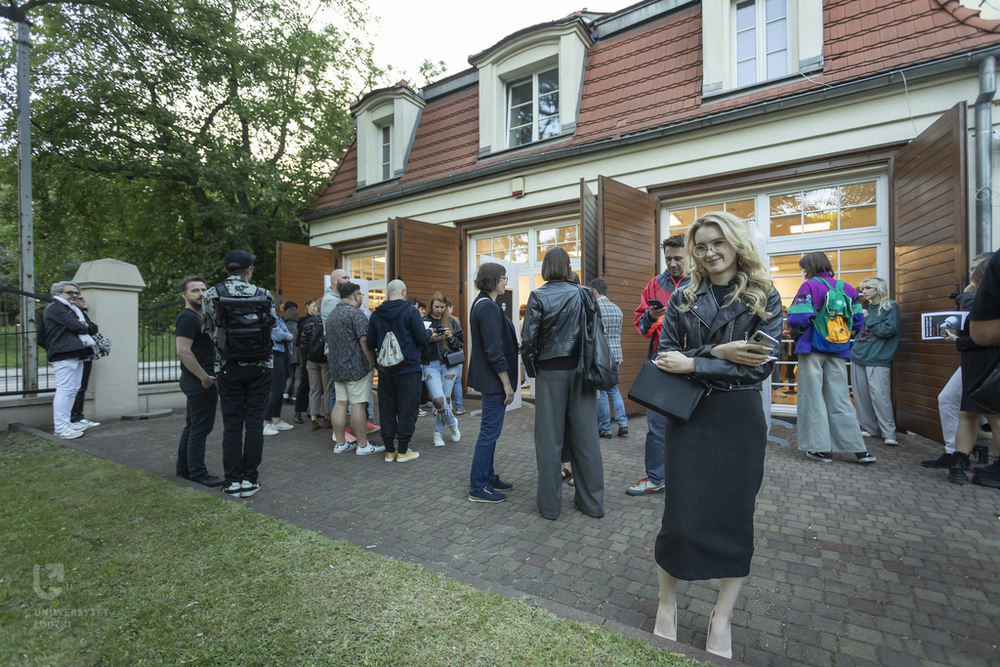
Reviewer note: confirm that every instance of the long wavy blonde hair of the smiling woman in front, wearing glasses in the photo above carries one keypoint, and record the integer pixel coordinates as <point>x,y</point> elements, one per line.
<point>752,281</point>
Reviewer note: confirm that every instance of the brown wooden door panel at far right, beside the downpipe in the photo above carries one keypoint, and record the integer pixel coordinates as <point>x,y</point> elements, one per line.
<point>930,242</point>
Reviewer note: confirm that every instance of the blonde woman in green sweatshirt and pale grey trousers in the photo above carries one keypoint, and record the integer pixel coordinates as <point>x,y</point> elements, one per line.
<point>871,359</point>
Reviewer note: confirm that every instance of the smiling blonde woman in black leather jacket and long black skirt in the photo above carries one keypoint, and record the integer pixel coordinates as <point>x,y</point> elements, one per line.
<point>715,461</point>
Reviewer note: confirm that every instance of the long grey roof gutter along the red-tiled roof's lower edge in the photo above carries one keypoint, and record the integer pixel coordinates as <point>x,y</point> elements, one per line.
<point>887,79</point>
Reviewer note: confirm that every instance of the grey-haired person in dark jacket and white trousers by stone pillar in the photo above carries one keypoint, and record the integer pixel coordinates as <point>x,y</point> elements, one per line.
<point>67,343</point>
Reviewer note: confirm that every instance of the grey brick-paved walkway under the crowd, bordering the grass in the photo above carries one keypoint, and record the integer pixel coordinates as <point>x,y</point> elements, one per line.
<point>879,565</point>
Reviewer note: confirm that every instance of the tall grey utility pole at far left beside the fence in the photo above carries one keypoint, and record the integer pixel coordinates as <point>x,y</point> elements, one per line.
<point>29,374</point>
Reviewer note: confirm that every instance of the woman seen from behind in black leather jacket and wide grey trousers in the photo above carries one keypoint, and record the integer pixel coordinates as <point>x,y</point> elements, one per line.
<point>564,407</point>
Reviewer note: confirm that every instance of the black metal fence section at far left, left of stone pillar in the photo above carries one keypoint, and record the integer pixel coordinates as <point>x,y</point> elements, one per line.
<point>12,335</point>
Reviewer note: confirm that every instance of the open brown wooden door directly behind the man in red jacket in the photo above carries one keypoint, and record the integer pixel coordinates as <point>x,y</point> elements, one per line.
<point>629,249</point>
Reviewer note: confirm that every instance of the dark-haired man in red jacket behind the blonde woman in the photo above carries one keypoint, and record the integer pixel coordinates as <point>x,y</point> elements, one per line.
<point>648,322</point>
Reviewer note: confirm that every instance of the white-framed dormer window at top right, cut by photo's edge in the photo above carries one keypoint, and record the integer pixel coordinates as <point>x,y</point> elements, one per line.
<point>761,40</point>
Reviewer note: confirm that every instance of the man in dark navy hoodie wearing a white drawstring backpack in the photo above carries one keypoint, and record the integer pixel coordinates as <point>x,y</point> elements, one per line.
<point>399,393</point>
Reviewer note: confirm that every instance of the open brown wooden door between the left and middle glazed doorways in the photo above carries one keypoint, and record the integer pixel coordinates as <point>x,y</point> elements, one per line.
<point>426,257</point>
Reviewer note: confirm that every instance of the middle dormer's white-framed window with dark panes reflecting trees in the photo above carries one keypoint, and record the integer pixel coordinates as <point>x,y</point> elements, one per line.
<point>533,108</point>
